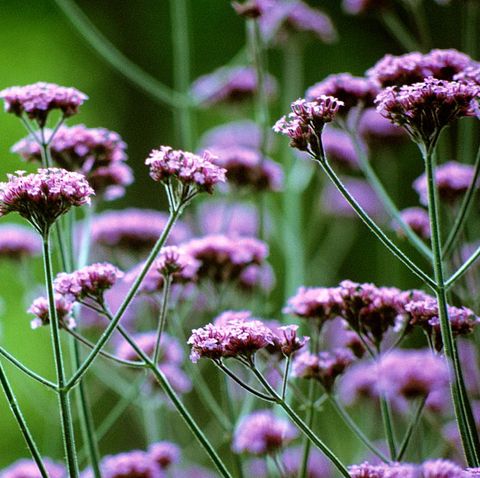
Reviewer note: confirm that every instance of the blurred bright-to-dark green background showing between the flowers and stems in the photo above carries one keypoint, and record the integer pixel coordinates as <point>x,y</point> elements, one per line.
<point>37,42</point>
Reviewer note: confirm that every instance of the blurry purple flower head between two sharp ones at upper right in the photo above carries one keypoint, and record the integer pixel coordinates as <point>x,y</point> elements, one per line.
<point>350,90</point>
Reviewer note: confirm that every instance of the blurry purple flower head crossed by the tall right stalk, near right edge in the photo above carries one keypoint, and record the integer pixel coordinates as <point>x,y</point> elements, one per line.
<point>452,179</point>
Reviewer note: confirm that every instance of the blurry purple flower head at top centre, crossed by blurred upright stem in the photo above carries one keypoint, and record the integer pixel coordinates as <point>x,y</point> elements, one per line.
<point>230,85</point>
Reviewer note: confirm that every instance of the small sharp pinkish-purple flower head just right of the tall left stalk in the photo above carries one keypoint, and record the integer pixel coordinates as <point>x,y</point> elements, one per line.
<point>88,282</point>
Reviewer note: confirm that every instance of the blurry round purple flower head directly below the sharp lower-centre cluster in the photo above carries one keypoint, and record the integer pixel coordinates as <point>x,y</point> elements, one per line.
<point>262,433</point>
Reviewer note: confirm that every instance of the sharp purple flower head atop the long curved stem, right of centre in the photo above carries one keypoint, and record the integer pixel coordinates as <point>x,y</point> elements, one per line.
<point>305,123</point>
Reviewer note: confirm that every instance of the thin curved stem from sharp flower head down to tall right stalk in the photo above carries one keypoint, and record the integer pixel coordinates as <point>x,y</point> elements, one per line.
<point>373,226</point>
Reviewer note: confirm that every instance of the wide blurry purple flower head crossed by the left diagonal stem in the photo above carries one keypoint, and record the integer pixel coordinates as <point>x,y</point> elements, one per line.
<point>134,229</point>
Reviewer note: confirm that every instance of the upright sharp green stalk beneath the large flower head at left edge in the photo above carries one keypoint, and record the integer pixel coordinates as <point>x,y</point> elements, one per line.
<point>63,397</point>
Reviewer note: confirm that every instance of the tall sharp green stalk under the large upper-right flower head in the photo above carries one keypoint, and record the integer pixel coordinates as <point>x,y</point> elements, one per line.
<point>463,411</point>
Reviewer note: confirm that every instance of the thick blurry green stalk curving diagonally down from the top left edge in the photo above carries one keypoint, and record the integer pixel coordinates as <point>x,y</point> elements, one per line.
<point>116,59</point>
